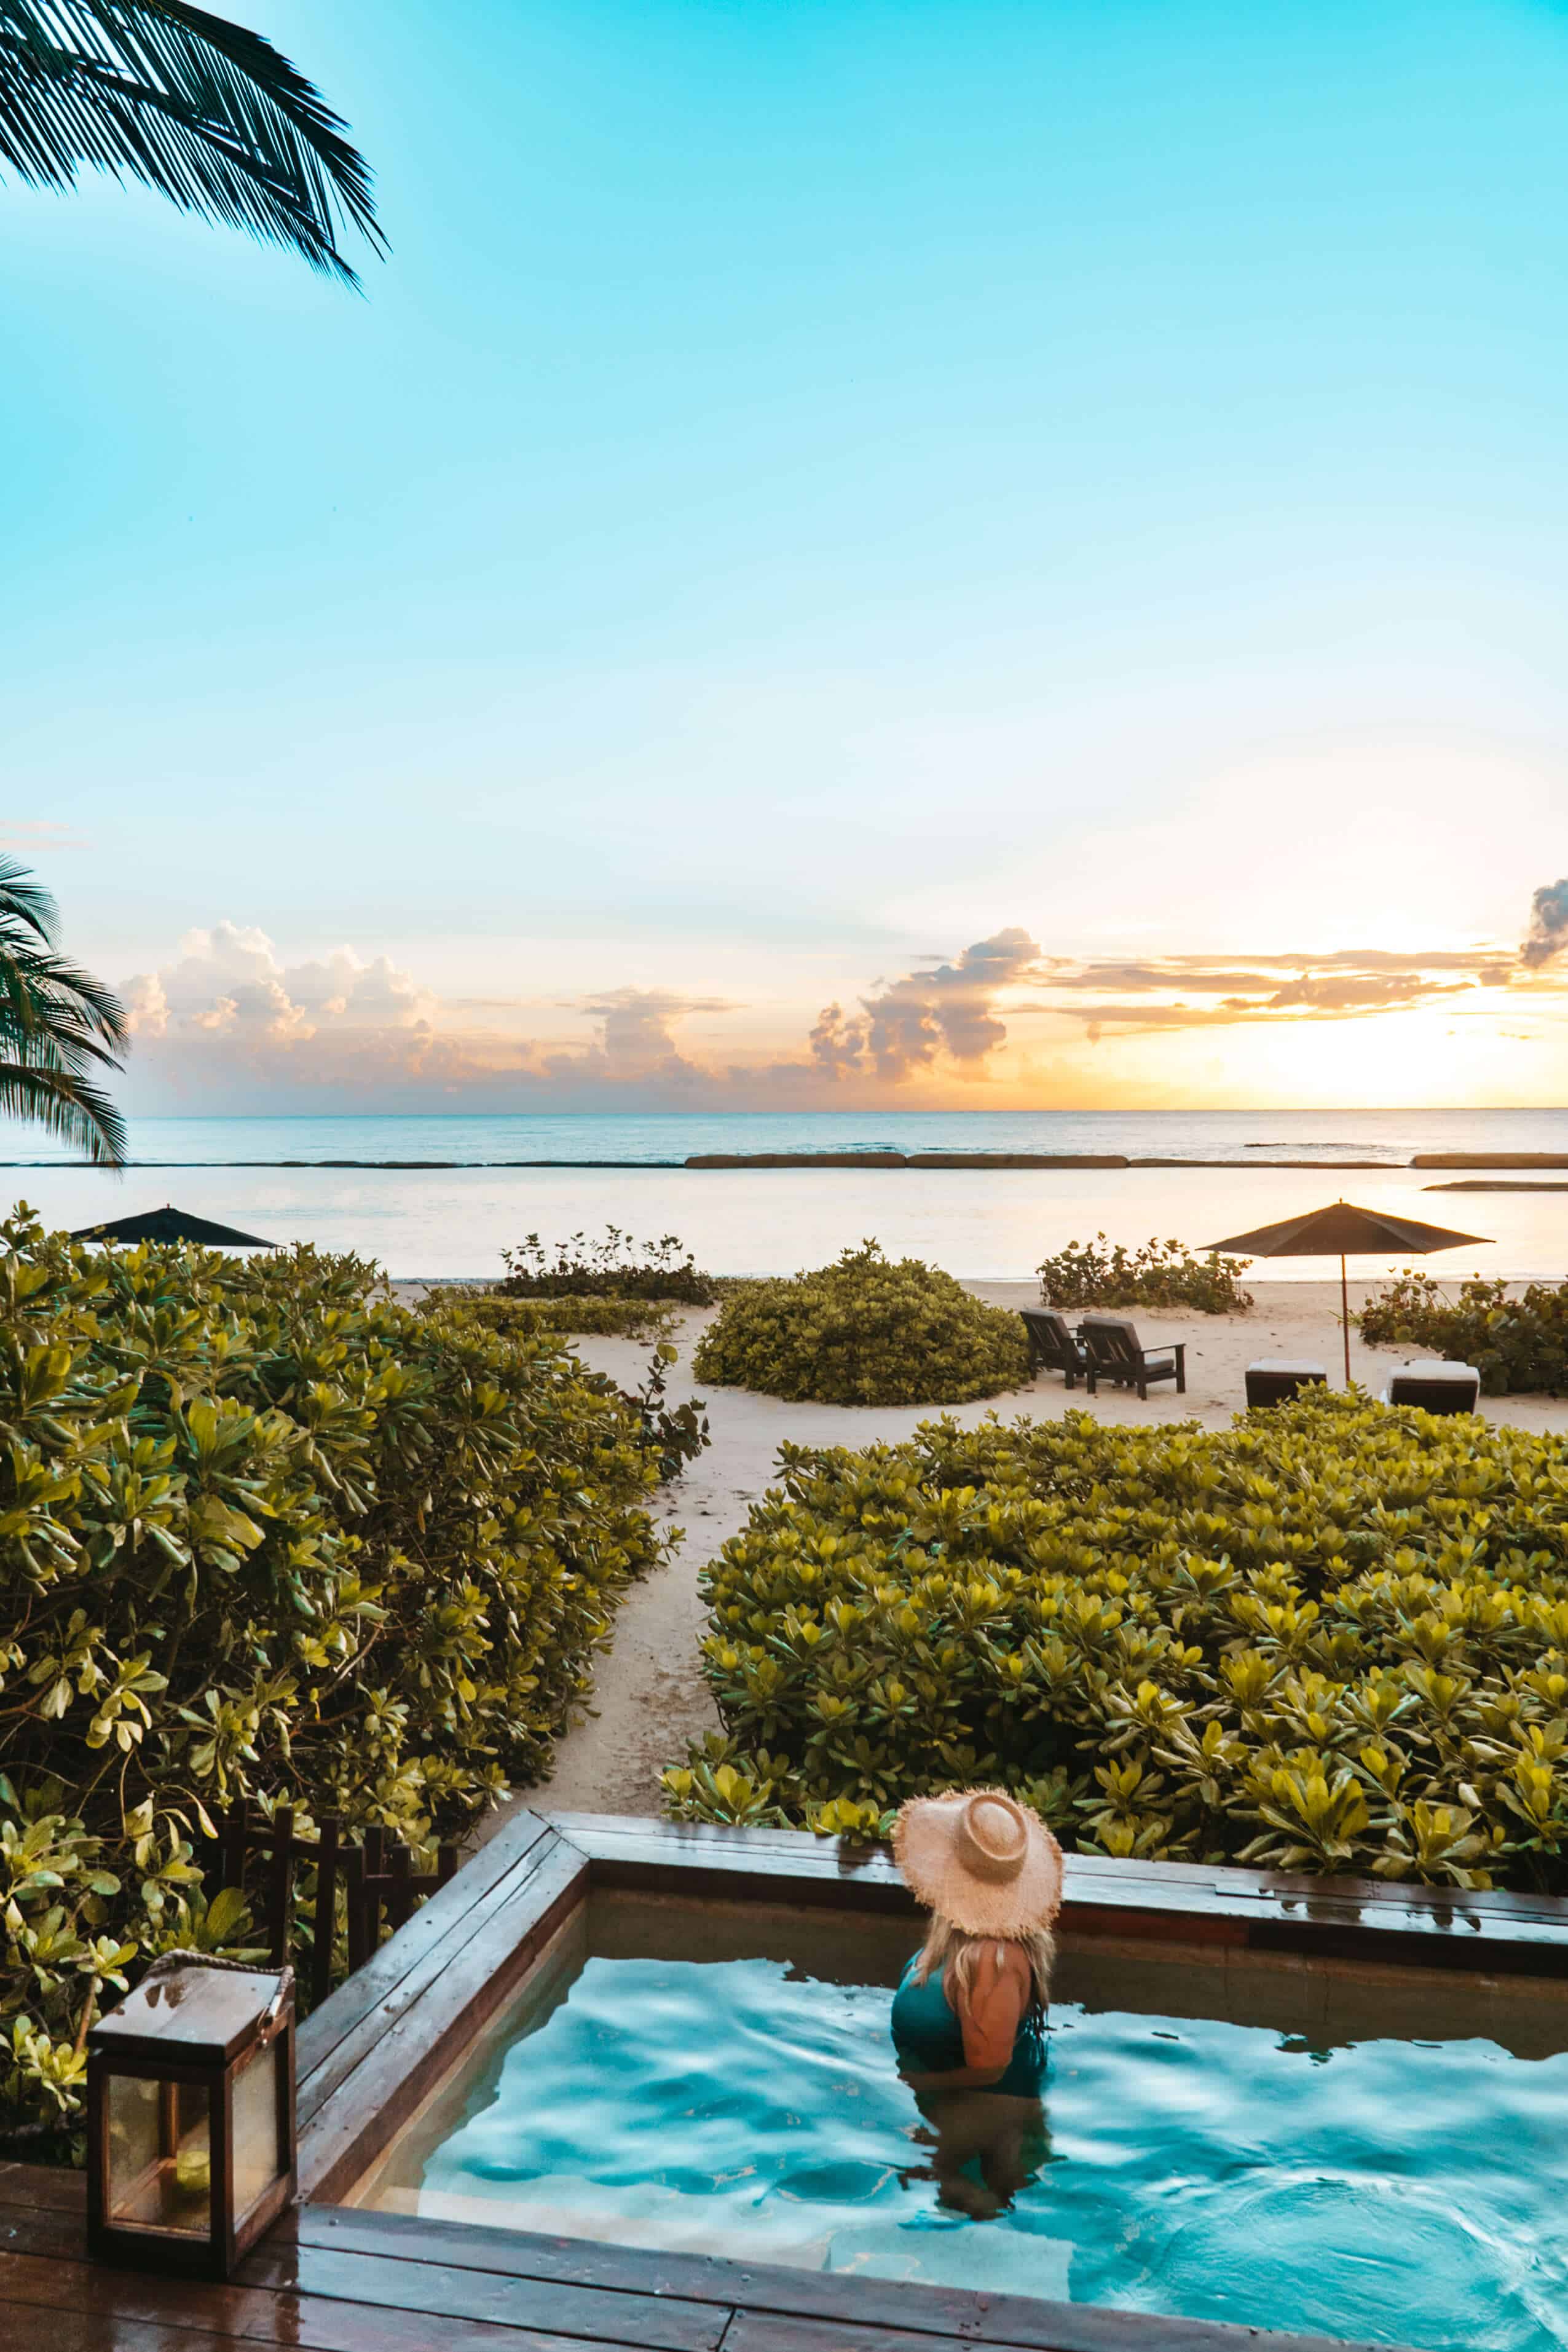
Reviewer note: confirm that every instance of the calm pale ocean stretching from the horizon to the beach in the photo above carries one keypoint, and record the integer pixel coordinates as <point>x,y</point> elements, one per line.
<point>441,1198</point>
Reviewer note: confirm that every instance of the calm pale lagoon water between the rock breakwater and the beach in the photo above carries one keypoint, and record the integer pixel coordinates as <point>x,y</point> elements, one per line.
<point>744,1222</point>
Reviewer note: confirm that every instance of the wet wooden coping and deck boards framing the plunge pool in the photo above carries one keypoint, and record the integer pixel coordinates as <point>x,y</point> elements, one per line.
<point>335,2278</point>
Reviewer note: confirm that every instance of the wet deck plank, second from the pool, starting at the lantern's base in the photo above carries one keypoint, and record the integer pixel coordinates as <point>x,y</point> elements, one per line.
<point>450,2292</point>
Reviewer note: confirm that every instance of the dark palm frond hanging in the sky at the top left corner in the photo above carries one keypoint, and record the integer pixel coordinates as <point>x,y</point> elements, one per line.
<point>187,105</point>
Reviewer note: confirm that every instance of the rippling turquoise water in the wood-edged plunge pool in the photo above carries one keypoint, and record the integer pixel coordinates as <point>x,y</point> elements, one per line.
<point>1388,2184</point>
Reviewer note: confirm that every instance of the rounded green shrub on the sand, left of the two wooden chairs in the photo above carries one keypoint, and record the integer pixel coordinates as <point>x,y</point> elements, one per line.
<point>864,1332</point>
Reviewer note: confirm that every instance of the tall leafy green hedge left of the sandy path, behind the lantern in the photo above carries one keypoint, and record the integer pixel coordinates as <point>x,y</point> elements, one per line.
<point>264,1535</point>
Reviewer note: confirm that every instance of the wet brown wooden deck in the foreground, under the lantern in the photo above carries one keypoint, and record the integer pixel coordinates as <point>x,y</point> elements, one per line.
<point>333,2280</point>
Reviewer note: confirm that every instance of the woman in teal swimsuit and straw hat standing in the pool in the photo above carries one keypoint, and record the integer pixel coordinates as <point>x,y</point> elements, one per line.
<point>970,2014</point>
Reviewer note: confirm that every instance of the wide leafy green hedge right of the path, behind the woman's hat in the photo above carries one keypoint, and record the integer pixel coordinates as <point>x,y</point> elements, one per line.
<point>1332,1638</point>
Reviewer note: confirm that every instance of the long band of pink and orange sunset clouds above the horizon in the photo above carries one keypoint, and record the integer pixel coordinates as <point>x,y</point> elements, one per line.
<point>232,1027</point>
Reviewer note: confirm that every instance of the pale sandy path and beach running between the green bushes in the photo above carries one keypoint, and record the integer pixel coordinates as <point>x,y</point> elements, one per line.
<point>650,1697</point>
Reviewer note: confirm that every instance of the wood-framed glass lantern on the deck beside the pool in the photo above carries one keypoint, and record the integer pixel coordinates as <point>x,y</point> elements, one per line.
<point>192,2118</point>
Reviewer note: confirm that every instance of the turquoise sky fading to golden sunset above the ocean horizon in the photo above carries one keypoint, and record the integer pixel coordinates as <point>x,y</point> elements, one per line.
<point>855,554</point>
